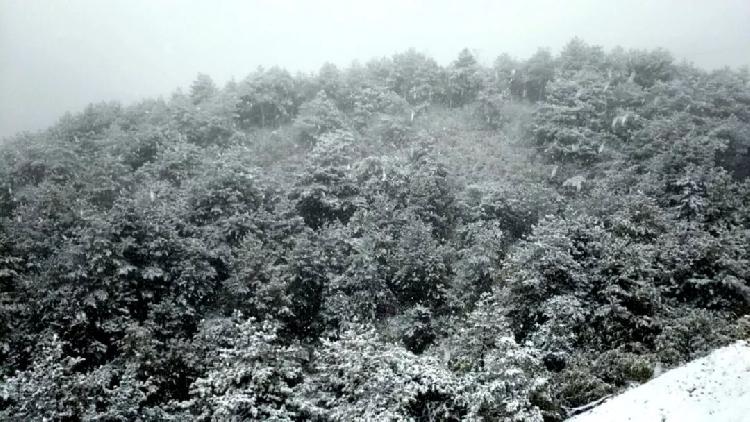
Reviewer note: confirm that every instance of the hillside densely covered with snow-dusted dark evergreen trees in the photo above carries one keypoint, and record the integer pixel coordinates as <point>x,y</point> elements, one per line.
<point>390,241</point>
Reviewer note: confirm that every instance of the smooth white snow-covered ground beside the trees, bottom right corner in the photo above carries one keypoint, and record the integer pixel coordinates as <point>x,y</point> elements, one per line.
<point>715,388</point>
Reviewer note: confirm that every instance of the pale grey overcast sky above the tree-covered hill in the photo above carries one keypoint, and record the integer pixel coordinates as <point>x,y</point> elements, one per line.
<point>59,55</point>
